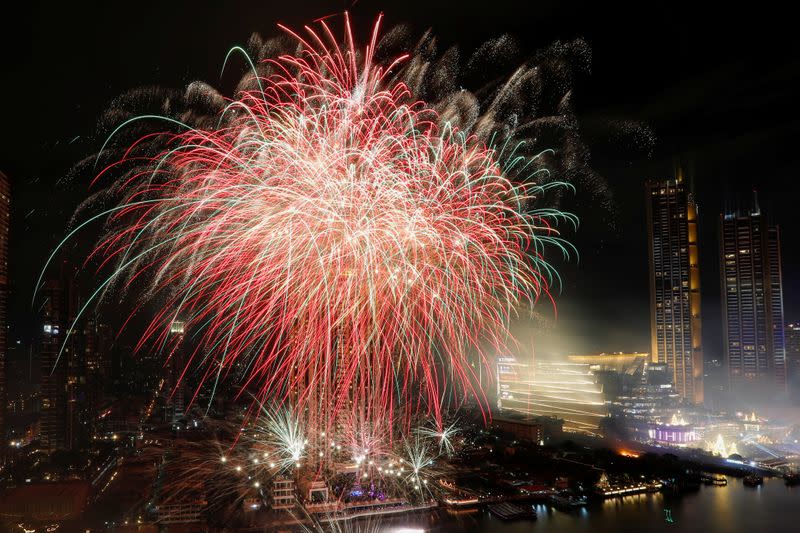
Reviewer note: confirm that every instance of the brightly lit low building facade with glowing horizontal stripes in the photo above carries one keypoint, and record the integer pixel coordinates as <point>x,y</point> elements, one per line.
<point>561,390</point>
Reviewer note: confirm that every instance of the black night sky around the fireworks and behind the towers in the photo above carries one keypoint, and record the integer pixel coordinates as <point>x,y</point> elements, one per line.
<point>718,87</point>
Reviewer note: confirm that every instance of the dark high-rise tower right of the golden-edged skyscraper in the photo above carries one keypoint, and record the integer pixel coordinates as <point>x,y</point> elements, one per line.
<point>752,303</point>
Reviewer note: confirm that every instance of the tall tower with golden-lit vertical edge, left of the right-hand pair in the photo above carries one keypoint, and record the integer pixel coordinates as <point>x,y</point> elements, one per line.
<point>675,330</point>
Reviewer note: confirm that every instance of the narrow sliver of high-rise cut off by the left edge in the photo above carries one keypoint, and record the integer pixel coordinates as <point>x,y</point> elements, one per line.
<point>5,221</point>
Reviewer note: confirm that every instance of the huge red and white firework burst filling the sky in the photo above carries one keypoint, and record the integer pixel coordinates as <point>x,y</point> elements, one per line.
<point>350,245</point>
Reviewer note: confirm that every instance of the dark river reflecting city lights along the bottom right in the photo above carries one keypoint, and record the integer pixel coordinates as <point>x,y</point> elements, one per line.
<point>733,508</point>
